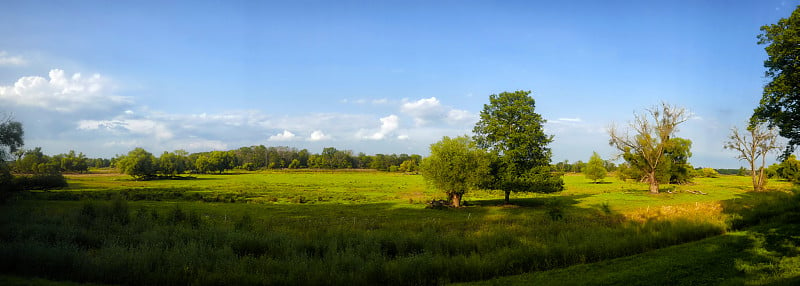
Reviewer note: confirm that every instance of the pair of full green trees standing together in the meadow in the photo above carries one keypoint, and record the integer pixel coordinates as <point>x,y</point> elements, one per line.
<point>508,152</point>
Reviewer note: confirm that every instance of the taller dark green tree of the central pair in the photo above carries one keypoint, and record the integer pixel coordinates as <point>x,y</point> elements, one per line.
<point>510,129</point>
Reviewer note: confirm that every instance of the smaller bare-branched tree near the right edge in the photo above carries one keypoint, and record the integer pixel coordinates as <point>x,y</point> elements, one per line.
<point>755,144</point>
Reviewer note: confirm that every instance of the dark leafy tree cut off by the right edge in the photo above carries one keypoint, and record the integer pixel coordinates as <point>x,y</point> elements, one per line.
<point>780,102</point>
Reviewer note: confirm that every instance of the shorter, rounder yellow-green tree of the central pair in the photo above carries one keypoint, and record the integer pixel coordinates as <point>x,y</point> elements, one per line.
<point>455,166</point>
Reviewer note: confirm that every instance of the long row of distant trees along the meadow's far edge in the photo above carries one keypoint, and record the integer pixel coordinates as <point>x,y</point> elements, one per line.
<point>141,164</point>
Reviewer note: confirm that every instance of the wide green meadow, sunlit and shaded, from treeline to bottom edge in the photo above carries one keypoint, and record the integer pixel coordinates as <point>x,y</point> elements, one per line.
<point>366,228</point>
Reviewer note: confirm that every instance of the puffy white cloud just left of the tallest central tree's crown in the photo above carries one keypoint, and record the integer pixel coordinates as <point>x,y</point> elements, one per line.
<point>430,110</point>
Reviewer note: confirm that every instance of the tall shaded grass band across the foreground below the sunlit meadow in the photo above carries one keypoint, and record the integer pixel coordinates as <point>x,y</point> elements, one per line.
<point>194,243</point>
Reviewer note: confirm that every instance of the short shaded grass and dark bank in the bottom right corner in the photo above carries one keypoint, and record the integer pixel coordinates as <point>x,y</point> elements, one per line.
<point>765,252</point>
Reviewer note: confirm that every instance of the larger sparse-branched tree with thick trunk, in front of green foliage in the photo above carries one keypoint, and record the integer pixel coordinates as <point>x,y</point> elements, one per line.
<point>645,149</point>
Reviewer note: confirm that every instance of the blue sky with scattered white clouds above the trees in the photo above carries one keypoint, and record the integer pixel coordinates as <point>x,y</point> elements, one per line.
<point>104,77</point>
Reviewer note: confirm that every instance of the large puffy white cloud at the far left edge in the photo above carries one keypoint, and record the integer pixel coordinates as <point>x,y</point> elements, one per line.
<point>63,93</point>
